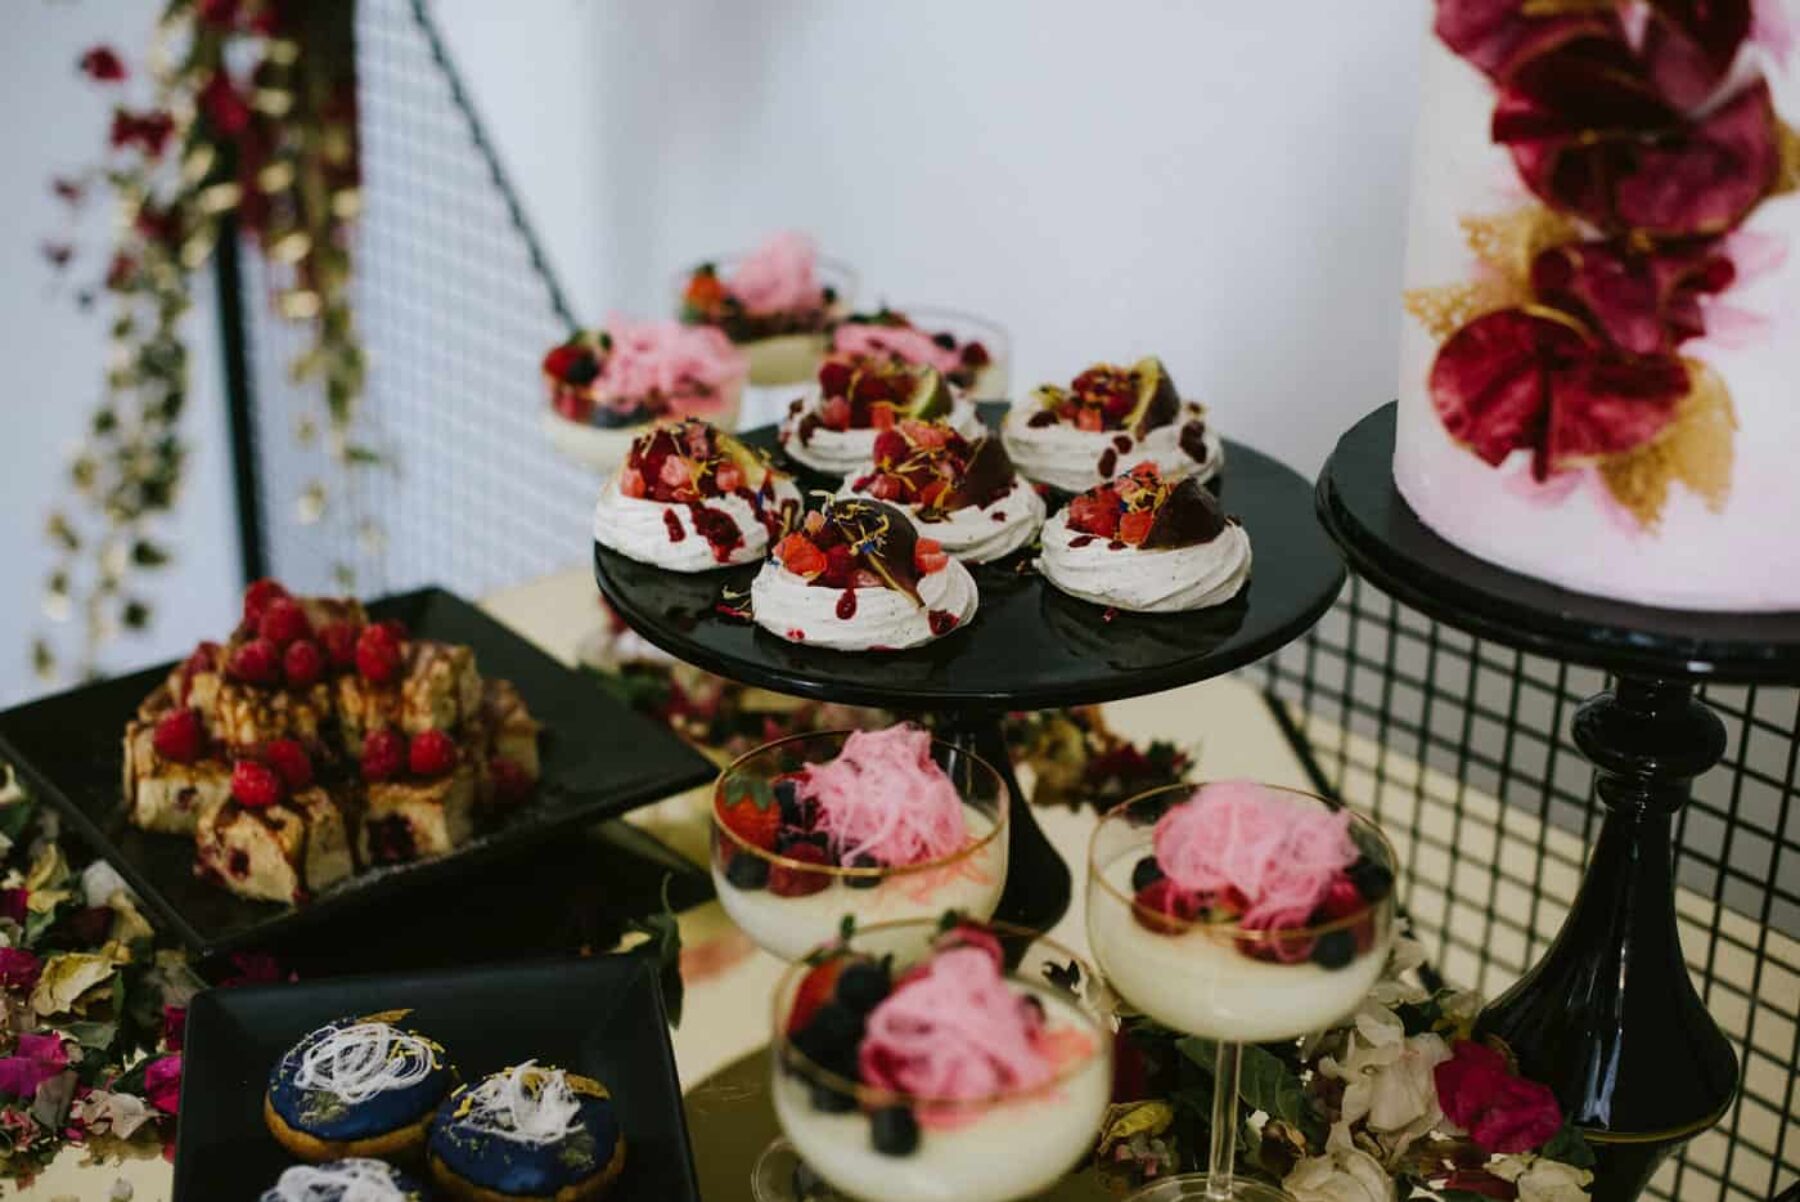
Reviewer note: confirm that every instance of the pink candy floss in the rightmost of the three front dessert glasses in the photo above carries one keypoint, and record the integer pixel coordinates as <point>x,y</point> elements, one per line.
<point>1237,836</point>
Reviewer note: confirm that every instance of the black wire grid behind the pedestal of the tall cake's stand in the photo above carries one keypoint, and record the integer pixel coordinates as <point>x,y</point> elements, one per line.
<point>1462,751</point>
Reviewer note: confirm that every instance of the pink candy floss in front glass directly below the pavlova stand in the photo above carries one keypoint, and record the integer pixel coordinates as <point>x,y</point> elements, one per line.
<point>886,798</point>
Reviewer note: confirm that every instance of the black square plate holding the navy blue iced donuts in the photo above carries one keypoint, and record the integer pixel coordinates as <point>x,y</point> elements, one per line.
<point>600,1018</point>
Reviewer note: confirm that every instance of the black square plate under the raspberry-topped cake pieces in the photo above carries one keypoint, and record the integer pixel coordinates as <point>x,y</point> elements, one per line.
<point>600,760</point>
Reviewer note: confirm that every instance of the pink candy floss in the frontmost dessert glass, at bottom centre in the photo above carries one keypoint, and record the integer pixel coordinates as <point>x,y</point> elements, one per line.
<point>958,1030</point>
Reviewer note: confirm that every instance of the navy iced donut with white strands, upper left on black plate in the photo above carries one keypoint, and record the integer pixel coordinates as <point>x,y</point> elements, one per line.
<point>357,1088</point>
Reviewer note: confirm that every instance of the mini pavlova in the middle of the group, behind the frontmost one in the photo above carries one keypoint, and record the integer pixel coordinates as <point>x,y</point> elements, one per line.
<point>960,492</point>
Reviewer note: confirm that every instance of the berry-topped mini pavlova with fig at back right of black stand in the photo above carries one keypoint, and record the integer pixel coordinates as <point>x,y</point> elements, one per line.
<point>1108,420</point>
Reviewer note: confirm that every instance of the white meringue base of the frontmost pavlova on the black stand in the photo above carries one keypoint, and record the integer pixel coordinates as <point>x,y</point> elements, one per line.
<point>784,604</point>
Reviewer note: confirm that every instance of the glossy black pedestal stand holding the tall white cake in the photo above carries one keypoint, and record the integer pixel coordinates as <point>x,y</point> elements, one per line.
<point>1610,1018</point>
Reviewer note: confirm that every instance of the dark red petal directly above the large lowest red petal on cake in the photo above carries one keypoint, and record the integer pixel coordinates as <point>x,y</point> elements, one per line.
<point>1646,303</point>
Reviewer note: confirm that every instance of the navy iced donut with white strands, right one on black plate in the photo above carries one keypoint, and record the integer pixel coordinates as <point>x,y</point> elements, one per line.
<point>528,1135</point>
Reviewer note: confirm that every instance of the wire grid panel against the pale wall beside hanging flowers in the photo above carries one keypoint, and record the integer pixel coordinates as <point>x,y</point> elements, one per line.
<point>456,307</point>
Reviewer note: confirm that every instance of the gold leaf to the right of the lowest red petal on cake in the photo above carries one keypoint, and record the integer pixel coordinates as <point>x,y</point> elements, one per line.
<point>1693,451</point>
